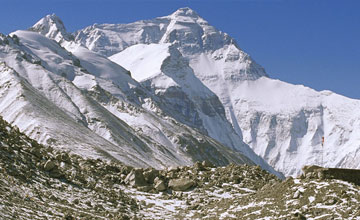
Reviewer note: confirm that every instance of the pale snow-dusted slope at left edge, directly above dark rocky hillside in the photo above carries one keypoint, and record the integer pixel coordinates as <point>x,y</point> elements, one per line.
<point>26,108</point>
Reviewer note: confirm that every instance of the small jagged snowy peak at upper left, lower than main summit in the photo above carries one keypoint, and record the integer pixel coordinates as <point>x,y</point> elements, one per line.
<point>52,27</point>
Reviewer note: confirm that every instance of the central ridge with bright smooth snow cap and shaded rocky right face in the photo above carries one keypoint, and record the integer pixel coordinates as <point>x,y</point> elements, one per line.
<point>162,69</point>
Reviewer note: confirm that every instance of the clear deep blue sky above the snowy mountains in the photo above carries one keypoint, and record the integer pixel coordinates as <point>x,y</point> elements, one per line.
<point>311,42</point>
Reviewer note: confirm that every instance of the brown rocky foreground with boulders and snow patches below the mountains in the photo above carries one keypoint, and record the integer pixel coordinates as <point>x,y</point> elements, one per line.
<point>38,182</point>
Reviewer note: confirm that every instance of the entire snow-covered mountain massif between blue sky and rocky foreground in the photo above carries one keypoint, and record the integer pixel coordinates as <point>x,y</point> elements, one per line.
<point>168,91</point>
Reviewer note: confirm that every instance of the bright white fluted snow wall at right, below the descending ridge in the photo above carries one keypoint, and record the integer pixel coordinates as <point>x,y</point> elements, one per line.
<point>285,124</point>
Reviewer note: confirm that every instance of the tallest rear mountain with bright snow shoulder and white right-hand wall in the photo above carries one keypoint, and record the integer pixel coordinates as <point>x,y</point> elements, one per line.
<point>283,123</point>
